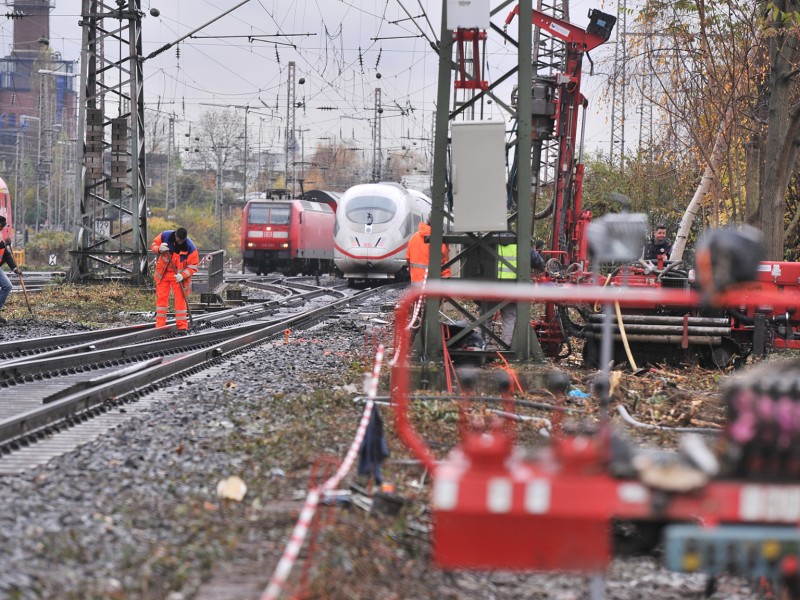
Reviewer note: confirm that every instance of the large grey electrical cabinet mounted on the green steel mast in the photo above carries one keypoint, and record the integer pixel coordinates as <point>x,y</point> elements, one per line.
<point>479,176</point>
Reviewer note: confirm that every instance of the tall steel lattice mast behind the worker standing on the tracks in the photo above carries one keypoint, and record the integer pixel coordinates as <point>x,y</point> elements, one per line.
<point>111,226</point>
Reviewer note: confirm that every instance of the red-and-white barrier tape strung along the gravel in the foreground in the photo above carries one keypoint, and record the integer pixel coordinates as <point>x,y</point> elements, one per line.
<point>312,499</point>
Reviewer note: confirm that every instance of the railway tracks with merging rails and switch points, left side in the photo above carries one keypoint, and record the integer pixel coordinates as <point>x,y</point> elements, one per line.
<point>67,389</point>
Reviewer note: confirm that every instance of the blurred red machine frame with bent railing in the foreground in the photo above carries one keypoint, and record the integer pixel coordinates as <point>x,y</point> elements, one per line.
<point>495,509</point>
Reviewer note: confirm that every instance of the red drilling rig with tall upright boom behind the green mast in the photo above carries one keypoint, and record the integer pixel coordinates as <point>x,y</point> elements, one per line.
<point>717,336</point>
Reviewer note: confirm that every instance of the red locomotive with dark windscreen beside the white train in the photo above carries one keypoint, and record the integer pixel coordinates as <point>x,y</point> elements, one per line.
<point>287,236</point>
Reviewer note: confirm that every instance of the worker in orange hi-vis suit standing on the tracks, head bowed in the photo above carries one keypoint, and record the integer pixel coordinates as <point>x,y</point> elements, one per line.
<point>177,262</point>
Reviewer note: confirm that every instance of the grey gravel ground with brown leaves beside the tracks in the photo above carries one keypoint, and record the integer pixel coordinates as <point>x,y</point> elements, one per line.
<point>135,514</point>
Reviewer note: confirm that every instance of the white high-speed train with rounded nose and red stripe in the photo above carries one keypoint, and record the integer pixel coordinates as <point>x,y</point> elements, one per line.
<point>374,222</point>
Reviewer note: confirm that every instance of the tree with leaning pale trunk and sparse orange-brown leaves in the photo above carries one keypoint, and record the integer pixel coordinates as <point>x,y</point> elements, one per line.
<point>701,71</point>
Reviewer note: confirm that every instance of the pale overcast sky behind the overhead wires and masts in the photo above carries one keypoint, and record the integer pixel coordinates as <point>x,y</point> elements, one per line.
<point>242,59</point>
